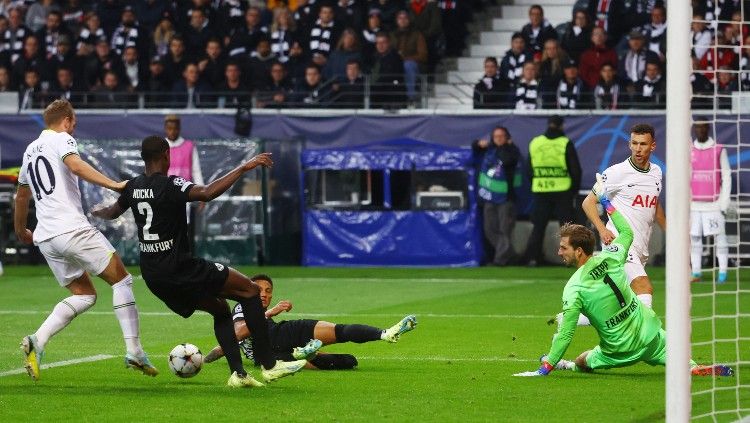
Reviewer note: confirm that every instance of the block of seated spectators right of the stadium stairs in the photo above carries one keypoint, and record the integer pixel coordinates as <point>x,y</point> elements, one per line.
<point>612,55</point>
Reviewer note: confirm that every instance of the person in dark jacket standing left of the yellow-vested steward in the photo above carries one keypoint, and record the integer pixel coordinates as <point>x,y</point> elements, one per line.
<point>498,180</point>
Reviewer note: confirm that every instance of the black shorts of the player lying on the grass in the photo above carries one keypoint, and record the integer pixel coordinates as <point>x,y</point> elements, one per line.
<point>285,335</point>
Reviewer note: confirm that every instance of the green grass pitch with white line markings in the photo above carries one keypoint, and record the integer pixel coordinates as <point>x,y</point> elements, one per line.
<point>476,328</point>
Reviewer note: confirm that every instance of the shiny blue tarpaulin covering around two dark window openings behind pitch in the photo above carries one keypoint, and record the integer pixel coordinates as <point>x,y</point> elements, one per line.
<point>387,237</point>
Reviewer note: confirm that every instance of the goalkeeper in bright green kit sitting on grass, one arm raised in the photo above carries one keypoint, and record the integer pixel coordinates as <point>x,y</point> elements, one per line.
<point>628,331</point>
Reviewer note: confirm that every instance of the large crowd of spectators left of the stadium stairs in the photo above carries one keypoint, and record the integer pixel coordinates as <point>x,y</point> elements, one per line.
<point>209,53</point>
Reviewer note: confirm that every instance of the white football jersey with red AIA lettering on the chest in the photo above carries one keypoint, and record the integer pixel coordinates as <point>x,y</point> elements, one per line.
<point>635,194</point>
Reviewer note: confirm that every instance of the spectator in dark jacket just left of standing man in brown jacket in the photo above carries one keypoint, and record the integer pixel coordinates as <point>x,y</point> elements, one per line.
<point>387,74</point>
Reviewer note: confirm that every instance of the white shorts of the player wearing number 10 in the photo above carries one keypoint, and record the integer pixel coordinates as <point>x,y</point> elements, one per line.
<point>71,254</point>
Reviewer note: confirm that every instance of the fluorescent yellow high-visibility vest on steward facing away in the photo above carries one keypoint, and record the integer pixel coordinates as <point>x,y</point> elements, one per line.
<point>550,171</point>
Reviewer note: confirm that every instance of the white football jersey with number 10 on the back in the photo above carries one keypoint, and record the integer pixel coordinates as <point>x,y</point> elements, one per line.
<point>53,186</point>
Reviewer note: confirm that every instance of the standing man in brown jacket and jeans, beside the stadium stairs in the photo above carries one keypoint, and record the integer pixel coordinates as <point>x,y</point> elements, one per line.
<point>412,47</point>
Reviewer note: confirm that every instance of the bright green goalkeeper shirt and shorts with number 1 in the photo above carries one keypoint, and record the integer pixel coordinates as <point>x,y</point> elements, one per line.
<point>600,291</point>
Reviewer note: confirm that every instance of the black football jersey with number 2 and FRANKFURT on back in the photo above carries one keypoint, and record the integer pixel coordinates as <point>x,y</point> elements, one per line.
<point>158,206</point>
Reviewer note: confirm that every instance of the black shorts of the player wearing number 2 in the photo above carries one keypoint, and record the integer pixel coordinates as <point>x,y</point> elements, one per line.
<point>183,288</point>
